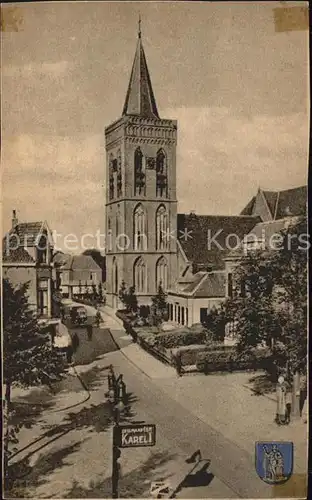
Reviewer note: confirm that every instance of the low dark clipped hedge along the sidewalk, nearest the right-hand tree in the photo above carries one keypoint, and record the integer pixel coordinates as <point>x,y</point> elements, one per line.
<point>229,360</point>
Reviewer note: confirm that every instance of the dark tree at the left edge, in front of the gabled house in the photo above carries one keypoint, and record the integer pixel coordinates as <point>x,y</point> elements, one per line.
<point>29,357</point>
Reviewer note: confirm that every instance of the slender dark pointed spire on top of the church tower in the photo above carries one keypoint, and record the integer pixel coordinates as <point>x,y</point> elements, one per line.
<point>140,98</point>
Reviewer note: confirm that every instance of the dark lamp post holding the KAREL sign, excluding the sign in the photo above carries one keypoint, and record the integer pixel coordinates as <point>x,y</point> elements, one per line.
<point>116,396</point>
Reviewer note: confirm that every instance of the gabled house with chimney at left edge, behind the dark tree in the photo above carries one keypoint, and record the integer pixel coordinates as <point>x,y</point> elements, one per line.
<point>27,258</point>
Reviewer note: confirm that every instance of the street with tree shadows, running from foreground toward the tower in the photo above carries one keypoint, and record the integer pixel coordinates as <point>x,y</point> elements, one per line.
<point>76,462</point>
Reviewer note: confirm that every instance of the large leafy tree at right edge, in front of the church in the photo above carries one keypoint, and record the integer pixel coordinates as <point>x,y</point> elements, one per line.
<point>269,303</point>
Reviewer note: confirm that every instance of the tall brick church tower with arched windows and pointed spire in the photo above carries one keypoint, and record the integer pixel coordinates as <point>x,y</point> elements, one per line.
<point>141,204</point>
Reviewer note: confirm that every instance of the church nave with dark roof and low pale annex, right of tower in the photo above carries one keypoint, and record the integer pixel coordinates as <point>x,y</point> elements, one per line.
<point>203,242</point>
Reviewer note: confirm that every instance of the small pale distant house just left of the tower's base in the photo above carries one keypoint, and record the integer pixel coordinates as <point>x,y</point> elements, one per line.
<point>78,274</point>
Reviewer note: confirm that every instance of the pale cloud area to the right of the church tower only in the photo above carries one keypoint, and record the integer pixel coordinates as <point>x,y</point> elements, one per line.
<point>222,158</point>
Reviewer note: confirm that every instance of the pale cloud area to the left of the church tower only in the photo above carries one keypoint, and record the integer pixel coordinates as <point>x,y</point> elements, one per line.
<point>60,179</point>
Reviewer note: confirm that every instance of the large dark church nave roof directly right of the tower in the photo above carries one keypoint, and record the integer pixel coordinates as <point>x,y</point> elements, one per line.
<point>203,228</point>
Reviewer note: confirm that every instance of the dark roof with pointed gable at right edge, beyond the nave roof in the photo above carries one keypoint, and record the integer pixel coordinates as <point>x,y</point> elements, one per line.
<point>282,203</point>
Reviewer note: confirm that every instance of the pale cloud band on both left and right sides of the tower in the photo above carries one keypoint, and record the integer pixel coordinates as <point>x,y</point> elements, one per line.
<point>221,161</point>
